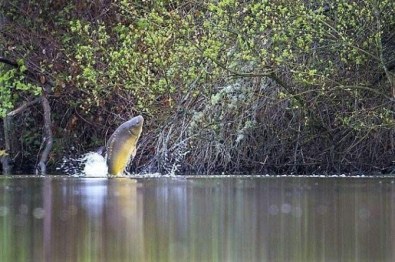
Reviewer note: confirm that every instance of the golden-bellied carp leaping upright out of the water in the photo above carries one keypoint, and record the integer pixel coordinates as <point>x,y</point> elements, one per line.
<point>121,147</point>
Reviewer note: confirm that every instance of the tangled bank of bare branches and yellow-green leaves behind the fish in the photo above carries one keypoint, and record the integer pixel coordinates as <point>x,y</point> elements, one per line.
<point>279,86</point>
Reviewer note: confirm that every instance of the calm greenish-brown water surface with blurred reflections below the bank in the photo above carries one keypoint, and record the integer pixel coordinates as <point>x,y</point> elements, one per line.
<point>197,219</point>
